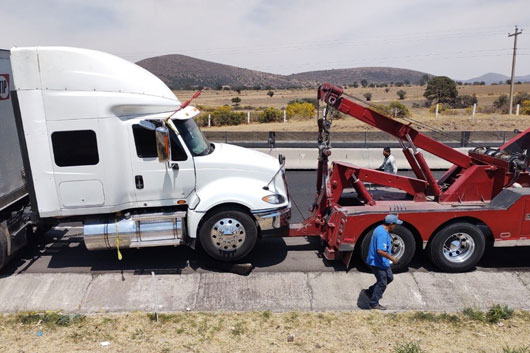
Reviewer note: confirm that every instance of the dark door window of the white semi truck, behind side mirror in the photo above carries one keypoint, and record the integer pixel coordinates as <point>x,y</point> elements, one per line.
<point>145,143</point>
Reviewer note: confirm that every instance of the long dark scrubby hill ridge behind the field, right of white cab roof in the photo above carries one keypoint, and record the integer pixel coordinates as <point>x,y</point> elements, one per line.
<point>184,72</point>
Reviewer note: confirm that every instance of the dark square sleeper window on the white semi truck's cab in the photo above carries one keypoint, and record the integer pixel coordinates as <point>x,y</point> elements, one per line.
<point>75,148</point>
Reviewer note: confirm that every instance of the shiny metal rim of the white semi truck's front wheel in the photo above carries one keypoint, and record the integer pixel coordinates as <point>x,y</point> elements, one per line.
<point>228,234</point>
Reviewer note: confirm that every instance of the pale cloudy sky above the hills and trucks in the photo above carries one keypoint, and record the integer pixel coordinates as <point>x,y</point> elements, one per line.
<point>461,39</point>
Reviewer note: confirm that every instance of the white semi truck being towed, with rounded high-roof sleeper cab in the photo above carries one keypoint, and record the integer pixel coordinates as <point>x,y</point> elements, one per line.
<point>85,136</point>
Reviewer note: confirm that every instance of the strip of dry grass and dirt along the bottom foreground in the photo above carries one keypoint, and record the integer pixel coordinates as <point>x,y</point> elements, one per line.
<point>265,332</point>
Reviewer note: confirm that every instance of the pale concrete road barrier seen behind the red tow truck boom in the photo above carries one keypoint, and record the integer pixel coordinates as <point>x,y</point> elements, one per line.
<point>306,158</point>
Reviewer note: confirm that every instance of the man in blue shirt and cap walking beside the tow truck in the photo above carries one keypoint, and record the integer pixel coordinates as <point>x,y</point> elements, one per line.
<point>379,257</point>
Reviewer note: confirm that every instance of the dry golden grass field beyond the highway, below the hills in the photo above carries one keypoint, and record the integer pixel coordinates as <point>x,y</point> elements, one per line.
<point>460,122</point>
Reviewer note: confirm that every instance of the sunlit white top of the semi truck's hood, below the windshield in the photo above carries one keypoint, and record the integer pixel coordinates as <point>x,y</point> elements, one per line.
<point>230,157</point>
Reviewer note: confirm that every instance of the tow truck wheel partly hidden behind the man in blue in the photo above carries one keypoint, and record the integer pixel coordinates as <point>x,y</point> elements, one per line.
<point>403,247</point>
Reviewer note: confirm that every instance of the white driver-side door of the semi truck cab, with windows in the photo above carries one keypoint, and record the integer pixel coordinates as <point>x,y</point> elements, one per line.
<point>155,183</point>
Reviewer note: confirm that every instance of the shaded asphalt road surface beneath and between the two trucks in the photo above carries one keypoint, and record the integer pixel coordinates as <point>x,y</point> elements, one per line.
<point>62,250</point>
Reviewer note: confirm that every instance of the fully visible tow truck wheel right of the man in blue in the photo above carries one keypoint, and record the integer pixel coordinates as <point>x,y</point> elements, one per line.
<point>457,247</point>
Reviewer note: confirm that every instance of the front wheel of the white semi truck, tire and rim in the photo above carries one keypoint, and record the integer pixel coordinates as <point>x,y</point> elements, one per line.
<point>228,235</point>
